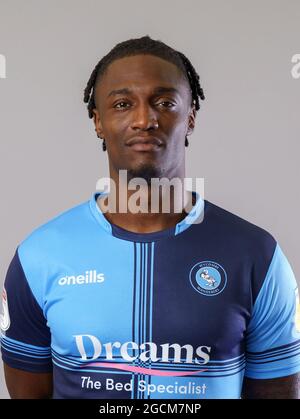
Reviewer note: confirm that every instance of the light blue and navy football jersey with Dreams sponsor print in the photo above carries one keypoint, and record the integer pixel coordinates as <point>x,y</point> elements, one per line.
<point>186,312</point>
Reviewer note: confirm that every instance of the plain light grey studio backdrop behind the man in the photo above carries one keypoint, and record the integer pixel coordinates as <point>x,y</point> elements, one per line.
<point>246,141</point>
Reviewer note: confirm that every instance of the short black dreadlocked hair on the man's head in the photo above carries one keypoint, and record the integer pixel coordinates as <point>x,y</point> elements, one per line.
<point>144,45</point>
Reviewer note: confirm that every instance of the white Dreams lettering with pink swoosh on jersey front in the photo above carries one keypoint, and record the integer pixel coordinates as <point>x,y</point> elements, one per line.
<point>148,351</point>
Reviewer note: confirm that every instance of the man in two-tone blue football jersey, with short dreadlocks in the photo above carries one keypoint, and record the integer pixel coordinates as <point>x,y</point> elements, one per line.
<point>113,304</point>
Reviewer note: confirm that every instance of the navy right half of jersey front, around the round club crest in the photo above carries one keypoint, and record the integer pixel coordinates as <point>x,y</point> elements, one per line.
<point>181,312</point>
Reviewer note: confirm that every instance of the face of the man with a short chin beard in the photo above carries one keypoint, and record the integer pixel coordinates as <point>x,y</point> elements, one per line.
<point>144,98</point>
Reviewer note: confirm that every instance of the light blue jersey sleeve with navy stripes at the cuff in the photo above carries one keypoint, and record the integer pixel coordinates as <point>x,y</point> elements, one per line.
<point>273,333</point>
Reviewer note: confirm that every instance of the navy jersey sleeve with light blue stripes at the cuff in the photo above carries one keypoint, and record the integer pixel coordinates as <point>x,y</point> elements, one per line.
<point>25,336</point>
